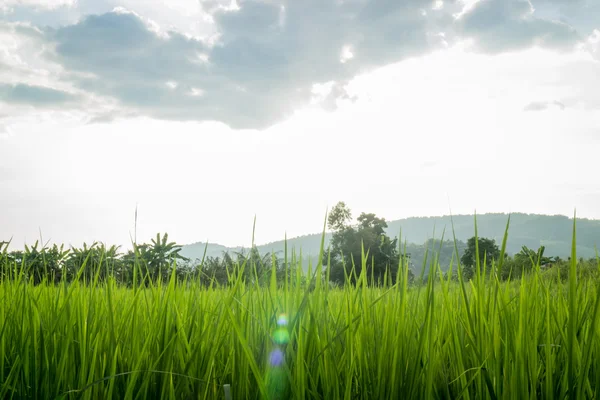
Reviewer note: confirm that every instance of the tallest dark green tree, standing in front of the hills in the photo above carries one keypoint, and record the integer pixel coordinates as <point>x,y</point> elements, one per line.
<point>347,242</point>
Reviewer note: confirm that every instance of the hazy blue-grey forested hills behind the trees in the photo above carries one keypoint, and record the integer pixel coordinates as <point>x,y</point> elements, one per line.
<point>531,230</point>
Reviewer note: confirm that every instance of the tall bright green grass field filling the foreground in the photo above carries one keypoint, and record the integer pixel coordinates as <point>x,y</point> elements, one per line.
<point>481,339</point>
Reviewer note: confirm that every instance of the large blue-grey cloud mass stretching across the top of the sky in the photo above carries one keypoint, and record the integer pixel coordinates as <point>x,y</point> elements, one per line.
<point>269,54</point>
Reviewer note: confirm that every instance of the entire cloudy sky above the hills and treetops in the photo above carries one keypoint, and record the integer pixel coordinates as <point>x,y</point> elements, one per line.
<point>206,114</point>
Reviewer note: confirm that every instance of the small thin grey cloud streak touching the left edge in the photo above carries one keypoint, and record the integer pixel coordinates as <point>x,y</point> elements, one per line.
<point>34,95</point>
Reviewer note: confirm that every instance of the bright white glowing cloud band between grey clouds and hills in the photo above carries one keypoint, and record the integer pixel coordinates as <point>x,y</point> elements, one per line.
<point>419,134</point>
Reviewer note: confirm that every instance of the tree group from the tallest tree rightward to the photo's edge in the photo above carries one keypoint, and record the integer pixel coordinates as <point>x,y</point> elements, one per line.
<point>365,245</point>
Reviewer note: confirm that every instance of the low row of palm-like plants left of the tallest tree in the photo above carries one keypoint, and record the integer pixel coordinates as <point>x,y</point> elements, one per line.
<point>145,264</point>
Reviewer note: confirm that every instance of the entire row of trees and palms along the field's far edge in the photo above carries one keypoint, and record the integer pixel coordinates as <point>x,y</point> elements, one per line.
<point>354,247</point>
